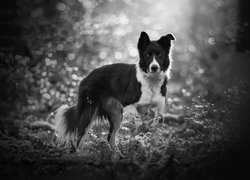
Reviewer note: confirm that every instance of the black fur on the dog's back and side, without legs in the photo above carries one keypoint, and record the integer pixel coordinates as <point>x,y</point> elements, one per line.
<point>117,81</point>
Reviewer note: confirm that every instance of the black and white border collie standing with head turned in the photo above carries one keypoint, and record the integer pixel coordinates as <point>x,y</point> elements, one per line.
<point>106,90</point>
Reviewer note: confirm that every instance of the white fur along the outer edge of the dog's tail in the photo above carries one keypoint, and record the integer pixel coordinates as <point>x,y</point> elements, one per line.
<point>60,127</point>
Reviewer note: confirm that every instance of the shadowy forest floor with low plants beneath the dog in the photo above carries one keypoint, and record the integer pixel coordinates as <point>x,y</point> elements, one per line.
<point>212,145</point>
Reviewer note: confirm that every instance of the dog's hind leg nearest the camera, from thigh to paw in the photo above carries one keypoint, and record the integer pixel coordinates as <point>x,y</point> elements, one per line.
<point>114,113</point>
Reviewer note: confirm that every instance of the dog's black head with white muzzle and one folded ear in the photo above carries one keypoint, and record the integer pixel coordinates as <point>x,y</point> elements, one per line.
<point>154,55</point>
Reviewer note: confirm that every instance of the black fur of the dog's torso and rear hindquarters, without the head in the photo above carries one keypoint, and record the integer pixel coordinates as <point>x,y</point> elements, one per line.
<point>117,81</point>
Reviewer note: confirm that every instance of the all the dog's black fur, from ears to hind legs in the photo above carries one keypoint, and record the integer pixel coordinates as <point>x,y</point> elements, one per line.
<point>106,90</point>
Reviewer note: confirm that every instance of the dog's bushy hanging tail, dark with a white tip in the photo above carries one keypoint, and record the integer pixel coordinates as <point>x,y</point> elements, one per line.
<point>63,116</point>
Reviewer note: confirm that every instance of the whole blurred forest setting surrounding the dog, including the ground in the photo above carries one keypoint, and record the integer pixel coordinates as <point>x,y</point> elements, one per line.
<point>47,47</point>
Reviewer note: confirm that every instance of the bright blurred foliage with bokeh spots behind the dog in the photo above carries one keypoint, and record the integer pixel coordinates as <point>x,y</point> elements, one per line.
<point>67,39</point>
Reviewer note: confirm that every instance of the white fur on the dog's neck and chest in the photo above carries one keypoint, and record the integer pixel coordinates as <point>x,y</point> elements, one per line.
<point>151,89</point>
